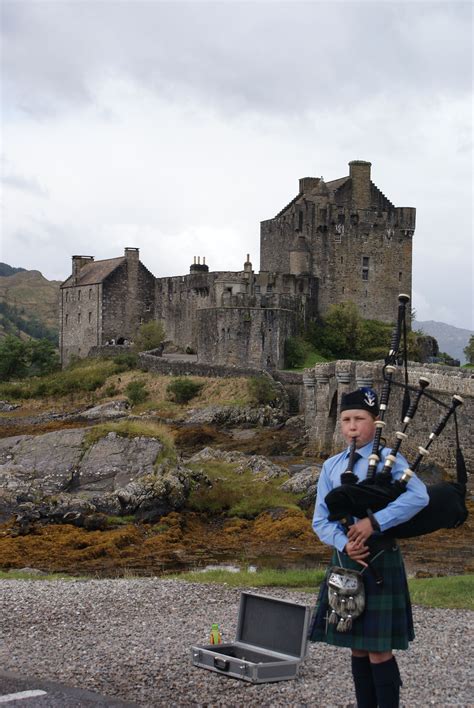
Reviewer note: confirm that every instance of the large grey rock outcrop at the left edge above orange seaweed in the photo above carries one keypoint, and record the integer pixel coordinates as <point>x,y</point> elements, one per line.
<point>60,476</point>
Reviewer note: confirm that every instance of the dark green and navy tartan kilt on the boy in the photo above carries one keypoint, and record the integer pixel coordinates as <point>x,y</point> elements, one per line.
<point>386,623</point>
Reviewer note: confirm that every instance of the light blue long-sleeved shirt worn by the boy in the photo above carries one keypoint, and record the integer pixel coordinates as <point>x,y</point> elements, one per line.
<point>397,512</point>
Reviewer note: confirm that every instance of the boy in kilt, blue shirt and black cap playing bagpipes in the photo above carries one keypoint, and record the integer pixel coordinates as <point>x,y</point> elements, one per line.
<point>364,604</point>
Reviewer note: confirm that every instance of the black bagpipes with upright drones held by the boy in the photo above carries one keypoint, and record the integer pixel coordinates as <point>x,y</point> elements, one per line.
<point>447,500</point>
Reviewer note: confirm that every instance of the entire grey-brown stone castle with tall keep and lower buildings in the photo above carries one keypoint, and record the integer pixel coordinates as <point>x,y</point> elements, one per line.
<point>335,241</point>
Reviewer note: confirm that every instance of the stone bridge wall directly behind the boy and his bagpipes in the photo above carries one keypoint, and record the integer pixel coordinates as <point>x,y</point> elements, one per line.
<point>325,384</point>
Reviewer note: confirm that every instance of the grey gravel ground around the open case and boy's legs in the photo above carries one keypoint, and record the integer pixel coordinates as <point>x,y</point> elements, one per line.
<point>131,639</point>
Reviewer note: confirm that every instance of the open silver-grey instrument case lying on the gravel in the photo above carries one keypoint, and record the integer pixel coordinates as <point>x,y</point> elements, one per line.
<point>270,643</point>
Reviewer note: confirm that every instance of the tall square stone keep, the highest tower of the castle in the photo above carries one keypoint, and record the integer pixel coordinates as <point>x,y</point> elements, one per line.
<point>359,244</point>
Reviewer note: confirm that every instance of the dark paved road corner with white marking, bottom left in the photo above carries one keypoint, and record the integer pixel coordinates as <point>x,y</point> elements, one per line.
<point>16,690</point>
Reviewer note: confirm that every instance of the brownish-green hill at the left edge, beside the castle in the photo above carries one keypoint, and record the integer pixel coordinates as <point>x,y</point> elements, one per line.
<point>28,304</point>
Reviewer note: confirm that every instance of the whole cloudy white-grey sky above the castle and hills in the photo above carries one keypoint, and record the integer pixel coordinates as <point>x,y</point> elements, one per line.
<point>177,127</point>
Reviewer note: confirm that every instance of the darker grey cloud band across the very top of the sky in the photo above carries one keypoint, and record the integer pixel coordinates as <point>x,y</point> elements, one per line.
<point>279,57</point>
